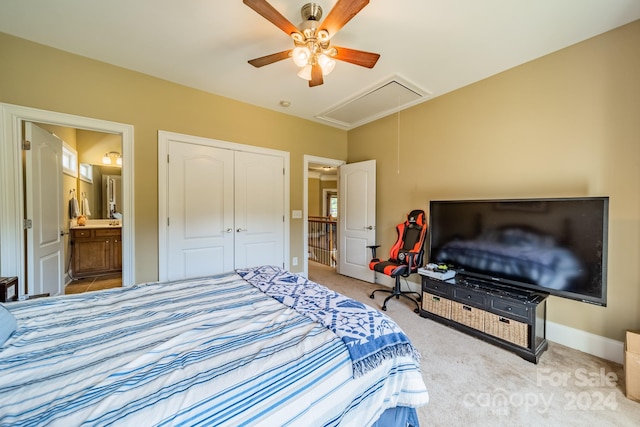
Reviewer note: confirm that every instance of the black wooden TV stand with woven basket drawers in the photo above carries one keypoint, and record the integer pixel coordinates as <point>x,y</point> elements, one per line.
<point>506,316</point>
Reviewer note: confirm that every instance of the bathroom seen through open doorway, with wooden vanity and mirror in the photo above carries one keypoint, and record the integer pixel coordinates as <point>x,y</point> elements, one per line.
<point>92,208</point>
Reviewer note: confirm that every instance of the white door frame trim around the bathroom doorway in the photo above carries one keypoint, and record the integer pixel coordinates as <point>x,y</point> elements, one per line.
<point>13,261</point>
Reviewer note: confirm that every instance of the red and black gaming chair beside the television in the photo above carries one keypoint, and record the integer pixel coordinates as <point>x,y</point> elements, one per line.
<point>405,257</point>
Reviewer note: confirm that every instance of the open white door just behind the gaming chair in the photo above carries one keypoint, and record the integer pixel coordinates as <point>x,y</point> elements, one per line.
<point>357,219</point>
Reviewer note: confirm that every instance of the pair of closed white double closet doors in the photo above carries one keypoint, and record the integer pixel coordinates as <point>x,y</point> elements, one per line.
<point>225,210</point>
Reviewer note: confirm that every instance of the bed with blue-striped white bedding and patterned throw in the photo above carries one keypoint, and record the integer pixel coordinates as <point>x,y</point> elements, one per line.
<point>259,346</point>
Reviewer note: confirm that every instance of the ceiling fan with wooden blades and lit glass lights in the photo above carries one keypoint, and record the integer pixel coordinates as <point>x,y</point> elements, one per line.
<point>313,51</point>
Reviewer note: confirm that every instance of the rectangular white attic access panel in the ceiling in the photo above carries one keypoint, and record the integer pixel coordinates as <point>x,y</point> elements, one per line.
<point>391,95</point>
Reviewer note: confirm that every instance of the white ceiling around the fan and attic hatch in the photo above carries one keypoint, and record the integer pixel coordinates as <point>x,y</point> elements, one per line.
<point>436,46</point>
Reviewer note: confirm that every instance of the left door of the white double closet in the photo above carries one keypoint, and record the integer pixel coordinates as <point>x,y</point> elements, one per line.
<point>200,211</point>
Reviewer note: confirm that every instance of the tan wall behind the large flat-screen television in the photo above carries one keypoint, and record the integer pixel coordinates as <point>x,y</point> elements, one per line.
<point>567,124</point>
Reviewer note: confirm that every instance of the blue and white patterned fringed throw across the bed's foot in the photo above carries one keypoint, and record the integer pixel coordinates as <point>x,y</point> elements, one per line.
<point>370,336</point>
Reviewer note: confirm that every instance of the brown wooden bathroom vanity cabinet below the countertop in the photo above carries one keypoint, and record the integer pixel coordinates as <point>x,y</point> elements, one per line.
<point>96,251</point>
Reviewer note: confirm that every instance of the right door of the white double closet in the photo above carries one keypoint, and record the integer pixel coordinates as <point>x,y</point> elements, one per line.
<point>259,210</point>
